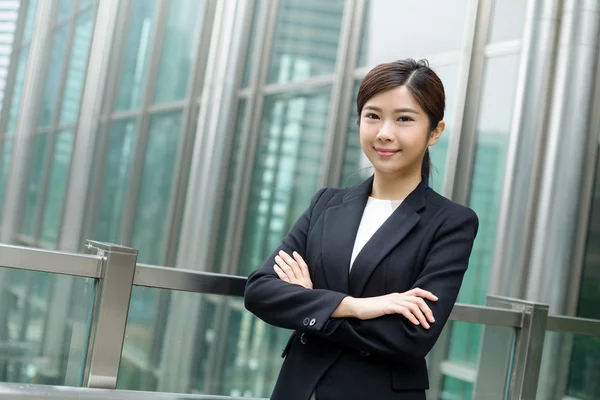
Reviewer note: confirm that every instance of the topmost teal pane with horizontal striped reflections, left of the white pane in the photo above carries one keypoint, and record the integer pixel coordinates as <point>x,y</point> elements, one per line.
<point>306,40</point>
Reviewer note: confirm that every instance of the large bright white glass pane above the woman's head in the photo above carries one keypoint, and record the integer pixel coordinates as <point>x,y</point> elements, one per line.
<point>395,29</point>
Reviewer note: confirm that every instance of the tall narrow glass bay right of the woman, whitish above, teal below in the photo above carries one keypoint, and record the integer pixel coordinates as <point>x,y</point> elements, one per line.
<point>493,129</point>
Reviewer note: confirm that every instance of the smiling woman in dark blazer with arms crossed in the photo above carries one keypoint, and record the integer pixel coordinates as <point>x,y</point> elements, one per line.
<point>368,275</point>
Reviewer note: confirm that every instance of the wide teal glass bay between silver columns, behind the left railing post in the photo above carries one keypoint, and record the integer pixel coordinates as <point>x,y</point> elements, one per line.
<point>145,139</point>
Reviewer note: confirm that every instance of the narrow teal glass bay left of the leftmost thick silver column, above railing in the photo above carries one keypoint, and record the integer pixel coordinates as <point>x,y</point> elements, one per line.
<point>54,133</point>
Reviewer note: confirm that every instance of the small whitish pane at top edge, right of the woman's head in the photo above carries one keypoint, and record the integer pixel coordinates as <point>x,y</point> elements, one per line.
<point>508,20</point>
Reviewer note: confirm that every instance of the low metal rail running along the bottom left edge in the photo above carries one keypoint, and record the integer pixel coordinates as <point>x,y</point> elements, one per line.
<point>44,392</point>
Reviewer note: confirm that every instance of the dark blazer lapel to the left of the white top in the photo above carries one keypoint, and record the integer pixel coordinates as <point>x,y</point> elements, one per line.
<point>339,233</point>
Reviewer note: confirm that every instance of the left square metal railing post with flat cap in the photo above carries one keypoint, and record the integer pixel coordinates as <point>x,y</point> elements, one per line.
<point>110,314</point>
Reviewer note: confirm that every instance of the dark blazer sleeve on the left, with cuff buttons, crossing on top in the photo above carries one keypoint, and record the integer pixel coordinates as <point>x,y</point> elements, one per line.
<point>286,305</point>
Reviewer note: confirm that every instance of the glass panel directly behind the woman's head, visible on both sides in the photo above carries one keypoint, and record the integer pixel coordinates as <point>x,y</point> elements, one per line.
<point>357,167</point>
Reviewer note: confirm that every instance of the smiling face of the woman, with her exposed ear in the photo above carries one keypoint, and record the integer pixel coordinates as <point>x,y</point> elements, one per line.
<point>395,132</point>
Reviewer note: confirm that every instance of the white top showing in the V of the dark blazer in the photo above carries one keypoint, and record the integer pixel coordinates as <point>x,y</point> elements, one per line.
<point>376,212</point>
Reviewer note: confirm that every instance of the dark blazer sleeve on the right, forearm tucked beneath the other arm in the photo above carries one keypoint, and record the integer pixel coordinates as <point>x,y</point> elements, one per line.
<point>395,337</point>
